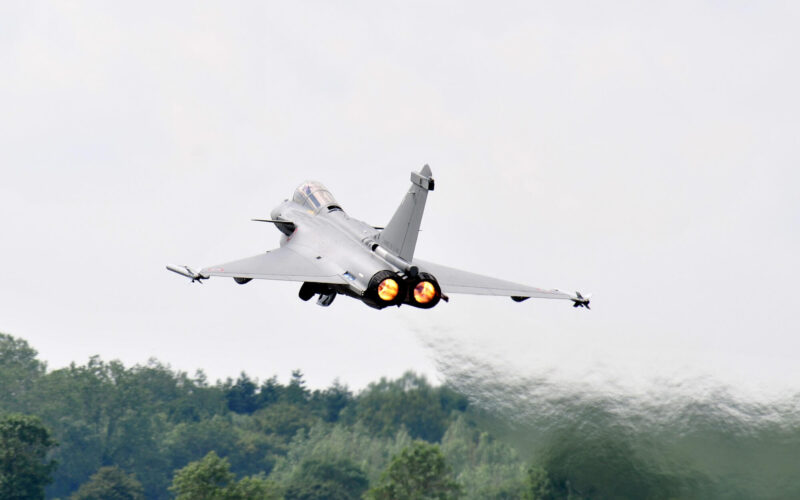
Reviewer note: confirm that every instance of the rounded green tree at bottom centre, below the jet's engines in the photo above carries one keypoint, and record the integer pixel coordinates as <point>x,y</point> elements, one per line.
<point>419,472</point>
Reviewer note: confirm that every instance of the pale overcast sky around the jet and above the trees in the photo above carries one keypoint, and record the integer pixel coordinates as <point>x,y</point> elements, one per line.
<point>646,152</point>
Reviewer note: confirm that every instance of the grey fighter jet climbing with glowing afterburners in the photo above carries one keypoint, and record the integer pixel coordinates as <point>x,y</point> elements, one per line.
<point>331,253</point>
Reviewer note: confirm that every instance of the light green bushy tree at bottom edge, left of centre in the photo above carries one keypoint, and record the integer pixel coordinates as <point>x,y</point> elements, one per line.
<point>212,479</point>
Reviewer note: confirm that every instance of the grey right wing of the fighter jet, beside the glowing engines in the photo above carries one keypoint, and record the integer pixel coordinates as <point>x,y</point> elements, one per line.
<point>457,281</point>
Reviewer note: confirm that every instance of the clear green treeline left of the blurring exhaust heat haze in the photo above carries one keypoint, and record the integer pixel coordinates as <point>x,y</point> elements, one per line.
<point>159,433</point>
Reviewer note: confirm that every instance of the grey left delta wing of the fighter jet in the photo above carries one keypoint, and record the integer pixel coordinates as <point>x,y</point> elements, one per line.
<point>279,264</point>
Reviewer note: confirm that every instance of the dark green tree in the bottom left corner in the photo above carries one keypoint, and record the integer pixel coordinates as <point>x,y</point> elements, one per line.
<point>24,467</point>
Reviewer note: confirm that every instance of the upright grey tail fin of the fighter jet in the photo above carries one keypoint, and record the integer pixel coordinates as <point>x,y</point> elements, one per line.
<point>400,235</point>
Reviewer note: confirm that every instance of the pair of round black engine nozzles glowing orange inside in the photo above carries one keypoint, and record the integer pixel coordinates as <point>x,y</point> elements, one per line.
<point>387,288</point>
